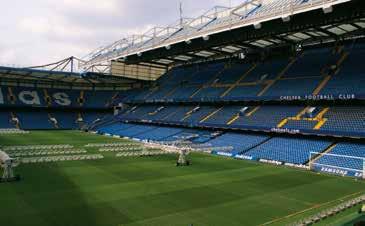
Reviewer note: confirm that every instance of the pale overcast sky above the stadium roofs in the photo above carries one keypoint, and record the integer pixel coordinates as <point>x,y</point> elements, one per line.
<point>37,32</point>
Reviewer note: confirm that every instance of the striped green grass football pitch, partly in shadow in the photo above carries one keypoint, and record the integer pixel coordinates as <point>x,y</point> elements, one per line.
<point>136,191</point>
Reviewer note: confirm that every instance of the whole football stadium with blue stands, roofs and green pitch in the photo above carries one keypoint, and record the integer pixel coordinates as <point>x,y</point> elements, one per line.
<point>252,114</point>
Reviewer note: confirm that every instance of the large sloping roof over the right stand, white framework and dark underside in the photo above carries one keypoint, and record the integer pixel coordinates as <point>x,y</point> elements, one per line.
<point>224,31</point>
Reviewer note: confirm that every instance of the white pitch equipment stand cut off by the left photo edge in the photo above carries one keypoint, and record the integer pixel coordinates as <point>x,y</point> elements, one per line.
<point>8,164</point>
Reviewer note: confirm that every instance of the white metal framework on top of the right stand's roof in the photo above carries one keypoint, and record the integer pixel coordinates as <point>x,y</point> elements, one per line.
<point>164,37</point>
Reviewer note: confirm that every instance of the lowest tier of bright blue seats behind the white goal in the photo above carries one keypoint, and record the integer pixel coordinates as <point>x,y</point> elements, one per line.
<point>297,151</point>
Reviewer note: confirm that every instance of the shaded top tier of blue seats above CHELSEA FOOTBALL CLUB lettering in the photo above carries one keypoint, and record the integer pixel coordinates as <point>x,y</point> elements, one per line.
<point>310,73</point>
